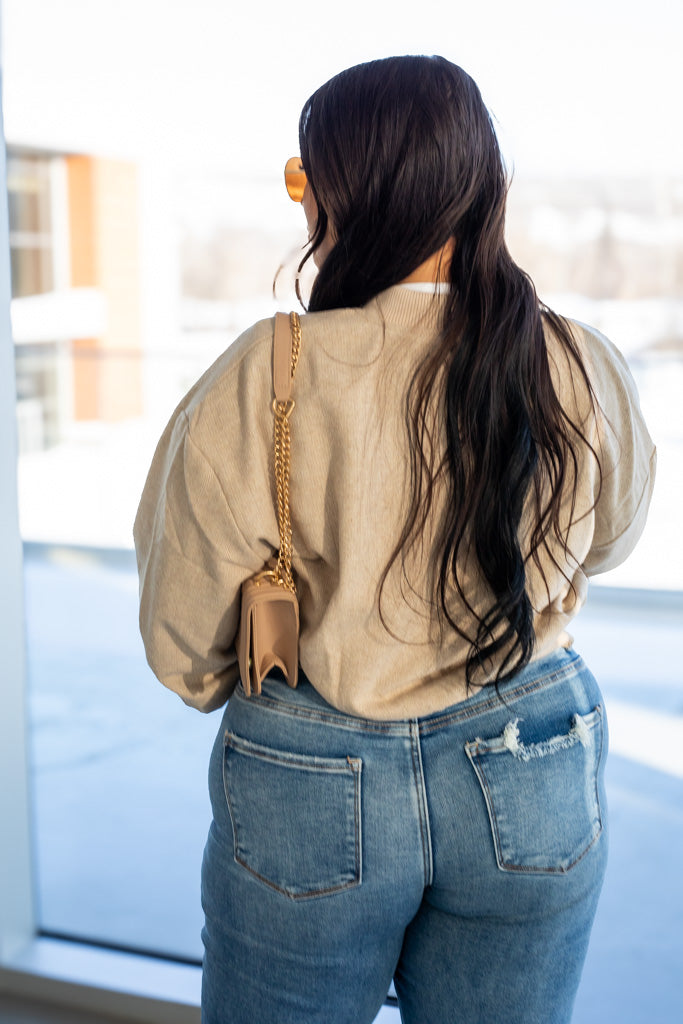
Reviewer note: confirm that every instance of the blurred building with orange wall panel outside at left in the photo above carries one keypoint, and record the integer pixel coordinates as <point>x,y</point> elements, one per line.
<point>75,253</point>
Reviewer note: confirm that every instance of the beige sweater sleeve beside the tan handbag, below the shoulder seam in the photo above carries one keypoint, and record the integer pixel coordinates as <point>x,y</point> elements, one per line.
<point>192,561</point>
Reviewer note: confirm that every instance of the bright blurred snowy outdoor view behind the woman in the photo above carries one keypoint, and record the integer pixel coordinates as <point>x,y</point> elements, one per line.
<point>146,145</point>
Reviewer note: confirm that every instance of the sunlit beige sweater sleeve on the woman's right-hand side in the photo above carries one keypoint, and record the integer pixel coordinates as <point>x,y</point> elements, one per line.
<point>627,456</point>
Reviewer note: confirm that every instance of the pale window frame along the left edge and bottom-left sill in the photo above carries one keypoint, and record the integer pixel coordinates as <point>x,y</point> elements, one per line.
<point>61,972</point>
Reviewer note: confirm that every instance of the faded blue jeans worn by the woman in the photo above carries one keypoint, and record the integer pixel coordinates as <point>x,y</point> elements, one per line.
<point>461,855</point>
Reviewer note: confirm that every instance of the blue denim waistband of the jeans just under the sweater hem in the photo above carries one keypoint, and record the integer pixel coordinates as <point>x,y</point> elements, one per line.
<point>306,702</point>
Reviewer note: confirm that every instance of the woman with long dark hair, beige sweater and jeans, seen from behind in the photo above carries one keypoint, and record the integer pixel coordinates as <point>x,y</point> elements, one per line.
<point>429,804</point>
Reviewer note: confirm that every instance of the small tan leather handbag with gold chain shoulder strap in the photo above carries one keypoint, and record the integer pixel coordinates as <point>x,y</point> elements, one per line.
<point>269,634</point>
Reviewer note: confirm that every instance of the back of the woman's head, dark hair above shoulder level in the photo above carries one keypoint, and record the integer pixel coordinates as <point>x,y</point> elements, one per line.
<point>402,156</point>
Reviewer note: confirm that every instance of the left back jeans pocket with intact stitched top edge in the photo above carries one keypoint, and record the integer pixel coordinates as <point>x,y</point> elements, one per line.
<point>296,819</point>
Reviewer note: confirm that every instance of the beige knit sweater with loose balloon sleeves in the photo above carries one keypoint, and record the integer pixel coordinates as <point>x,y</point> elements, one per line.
<point>207,518</point>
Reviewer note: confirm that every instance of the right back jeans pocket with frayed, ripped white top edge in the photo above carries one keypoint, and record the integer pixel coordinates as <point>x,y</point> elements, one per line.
<point>542,797</point>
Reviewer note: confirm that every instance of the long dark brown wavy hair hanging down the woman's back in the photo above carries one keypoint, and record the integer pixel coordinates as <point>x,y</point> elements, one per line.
<point>402,157</point>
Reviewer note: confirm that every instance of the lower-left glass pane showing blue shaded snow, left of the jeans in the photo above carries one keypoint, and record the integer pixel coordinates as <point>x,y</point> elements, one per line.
<point>121,805</point>
